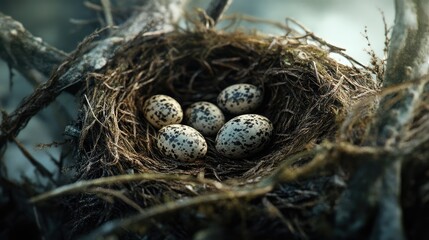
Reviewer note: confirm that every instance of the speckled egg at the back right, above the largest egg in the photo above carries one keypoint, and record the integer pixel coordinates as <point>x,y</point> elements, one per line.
<point>240,98</point>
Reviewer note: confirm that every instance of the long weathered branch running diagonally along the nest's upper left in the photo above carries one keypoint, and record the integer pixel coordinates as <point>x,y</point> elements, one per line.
<point>154,16</point>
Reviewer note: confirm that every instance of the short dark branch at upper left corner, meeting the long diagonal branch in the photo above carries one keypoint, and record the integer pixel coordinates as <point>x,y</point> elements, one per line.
<point>25,52</point>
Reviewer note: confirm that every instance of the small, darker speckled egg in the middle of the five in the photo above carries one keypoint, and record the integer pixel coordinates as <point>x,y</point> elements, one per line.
<point>206,117</point>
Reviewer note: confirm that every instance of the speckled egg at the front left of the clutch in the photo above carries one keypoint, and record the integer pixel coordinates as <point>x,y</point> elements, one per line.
<point>181,142</point>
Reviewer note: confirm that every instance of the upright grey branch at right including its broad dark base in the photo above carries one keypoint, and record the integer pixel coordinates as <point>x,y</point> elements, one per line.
<point>374,190</point>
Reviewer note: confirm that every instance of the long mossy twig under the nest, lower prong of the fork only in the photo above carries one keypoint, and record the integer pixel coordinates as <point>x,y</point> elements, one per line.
<point>283,174</point>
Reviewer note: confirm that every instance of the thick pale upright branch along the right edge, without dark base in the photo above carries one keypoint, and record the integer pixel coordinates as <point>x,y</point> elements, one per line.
<point>408,59</point>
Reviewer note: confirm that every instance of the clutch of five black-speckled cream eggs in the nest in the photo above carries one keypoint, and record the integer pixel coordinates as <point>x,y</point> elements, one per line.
<point>243,135</point>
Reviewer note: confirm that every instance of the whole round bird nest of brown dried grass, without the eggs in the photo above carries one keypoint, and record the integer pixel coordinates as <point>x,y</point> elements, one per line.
<point>307,94</point>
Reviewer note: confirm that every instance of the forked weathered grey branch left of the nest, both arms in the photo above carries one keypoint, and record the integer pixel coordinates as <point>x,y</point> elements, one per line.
<point>152,16</point>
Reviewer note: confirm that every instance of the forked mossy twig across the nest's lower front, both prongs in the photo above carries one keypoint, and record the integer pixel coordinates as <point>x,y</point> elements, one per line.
<point>283,174</point>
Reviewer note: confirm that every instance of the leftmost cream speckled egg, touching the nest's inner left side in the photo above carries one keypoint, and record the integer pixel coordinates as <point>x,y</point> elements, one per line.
<point>162,110</point>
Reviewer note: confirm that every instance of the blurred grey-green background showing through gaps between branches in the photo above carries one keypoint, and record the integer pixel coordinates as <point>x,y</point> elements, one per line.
<point>60,23</point>
